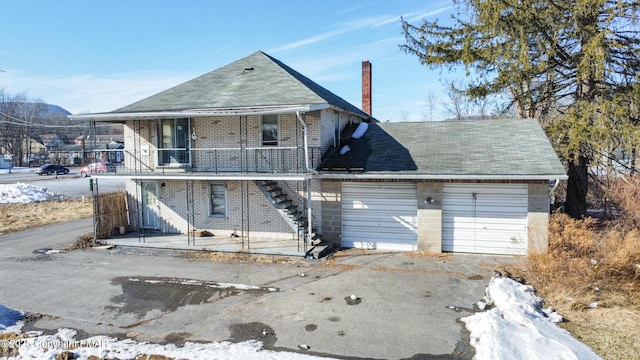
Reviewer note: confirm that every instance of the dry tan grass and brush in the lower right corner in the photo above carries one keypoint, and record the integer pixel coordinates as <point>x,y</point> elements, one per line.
<point>591,275</point>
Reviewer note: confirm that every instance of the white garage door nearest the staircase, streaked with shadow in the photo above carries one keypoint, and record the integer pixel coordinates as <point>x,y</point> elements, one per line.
<point>379,216</point>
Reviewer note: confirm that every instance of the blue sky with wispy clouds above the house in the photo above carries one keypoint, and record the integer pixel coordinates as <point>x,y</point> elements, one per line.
<point>96,56</point>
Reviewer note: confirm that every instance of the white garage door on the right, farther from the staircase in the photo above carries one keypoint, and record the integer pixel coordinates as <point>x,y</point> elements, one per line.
<point>485,218</point>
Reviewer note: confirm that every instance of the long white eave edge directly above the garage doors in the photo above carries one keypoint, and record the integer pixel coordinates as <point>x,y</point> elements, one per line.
<point>478,177</point>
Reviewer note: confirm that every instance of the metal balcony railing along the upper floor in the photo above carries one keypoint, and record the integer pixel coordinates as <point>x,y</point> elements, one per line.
<point>222,160</point>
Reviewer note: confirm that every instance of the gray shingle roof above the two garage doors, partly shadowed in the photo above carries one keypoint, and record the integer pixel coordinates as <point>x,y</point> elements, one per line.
<point>483,148</point>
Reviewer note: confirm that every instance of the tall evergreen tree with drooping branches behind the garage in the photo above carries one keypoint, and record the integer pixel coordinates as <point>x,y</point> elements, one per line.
<point>572,64</point>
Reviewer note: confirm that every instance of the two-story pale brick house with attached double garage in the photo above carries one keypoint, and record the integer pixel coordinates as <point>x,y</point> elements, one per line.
<point>256,151</point>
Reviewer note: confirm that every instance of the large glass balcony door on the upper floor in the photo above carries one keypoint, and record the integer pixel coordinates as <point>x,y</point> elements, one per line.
<point>174,135</point>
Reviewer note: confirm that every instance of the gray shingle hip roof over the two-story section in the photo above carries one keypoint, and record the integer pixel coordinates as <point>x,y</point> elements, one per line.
<point>255,80</point>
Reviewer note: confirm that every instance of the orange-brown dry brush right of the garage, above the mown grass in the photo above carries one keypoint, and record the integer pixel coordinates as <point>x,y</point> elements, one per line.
<point>587,264</point>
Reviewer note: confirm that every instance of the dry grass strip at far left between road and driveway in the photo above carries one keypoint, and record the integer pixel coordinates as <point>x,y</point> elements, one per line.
<point>17,217</point>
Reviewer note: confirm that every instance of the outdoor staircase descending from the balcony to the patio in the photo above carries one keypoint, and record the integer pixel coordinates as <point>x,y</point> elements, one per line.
<point>295,217</point>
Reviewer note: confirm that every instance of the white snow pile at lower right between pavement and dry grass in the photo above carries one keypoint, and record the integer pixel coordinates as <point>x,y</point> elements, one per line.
<point>518,328</point>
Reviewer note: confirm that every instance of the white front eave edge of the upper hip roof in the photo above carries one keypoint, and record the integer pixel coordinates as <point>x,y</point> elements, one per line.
<point>194,113</point>
